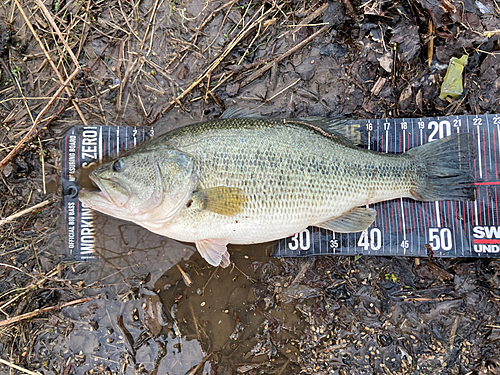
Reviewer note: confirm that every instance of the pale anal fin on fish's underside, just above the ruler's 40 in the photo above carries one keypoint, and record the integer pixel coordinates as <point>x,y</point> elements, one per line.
<point>356,220</point>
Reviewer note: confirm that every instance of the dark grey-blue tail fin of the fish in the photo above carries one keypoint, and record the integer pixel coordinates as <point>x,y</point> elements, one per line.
<point>450,169</point>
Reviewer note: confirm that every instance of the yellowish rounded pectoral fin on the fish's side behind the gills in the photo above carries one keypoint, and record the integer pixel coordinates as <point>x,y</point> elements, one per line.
<point>222,200</point>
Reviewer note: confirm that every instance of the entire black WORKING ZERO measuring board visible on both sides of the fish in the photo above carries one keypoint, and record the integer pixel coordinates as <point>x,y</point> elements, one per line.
<point>402,227</point>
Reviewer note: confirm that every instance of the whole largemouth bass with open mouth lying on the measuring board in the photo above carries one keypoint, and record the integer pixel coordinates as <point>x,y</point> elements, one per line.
<point>252,180</point>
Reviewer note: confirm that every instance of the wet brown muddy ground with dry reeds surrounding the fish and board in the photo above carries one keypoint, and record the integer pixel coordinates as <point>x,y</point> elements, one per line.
<point>160,309</point>
